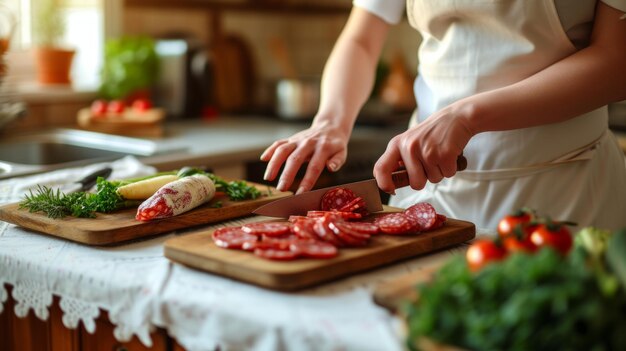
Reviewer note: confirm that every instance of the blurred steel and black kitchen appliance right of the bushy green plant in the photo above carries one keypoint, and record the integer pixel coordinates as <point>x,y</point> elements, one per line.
<point>185,80</point>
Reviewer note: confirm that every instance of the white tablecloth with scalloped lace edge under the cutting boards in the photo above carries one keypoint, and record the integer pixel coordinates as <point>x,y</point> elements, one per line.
<point>141,289</point>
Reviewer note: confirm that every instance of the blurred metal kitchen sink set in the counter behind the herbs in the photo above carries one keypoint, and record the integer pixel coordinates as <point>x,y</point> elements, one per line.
<point>58,148</point>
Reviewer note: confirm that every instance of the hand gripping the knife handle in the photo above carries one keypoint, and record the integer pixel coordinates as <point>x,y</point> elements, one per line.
<point>428,150</point>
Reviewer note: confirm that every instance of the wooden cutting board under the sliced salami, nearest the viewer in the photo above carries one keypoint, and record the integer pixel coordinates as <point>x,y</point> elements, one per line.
<point>198,251</point>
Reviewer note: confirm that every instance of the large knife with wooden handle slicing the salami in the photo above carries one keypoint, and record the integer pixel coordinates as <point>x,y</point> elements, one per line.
<point>367,189</point>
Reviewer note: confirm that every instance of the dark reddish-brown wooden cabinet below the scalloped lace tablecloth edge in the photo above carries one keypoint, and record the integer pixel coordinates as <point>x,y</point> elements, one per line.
<point>32,334</point>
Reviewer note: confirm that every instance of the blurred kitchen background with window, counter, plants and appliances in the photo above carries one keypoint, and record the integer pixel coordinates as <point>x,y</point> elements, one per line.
<point>221,79</point>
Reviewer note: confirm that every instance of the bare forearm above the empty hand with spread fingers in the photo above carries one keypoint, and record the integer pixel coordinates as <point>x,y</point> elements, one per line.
<point>349,73</point>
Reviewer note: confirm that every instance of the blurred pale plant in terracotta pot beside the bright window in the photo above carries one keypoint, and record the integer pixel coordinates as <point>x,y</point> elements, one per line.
<point>53,61</point>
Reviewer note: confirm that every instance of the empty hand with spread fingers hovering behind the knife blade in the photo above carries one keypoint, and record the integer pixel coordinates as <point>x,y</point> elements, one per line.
<point>322,145</point>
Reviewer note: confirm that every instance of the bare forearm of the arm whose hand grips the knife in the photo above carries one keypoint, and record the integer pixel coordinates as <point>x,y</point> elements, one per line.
<point>577,84</point>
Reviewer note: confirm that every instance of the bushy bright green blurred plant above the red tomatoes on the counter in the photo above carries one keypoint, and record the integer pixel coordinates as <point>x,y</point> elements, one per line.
<point>130,68</point>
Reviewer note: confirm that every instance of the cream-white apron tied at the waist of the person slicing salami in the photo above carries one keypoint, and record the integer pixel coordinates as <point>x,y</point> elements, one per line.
<point>573,170</point>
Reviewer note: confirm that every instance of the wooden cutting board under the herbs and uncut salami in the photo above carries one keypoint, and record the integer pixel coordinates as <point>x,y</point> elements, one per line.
<point>120,226</point>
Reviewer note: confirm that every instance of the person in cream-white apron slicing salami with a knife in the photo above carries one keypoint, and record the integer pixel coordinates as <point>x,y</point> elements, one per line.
<point>519,87</point>
